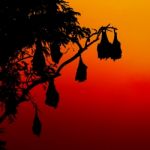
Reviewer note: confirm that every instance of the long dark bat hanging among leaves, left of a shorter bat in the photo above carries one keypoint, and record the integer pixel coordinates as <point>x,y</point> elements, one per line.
<point>38,62</point>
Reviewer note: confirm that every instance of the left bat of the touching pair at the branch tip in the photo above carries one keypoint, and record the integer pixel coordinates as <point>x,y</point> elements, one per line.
<point>104,47</point>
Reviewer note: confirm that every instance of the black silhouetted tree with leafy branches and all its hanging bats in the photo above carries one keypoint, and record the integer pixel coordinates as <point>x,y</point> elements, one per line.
<point>32,36</point>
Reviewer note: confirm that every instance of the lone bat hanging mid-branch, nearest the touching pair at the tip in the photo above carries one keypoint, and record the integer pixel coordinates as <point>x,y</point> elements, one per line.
<point>81,74</point>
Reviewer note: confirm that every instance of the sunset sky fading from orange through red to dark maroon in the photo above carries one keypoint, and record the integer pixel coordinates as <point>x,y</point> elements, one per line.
<point>109,111</point>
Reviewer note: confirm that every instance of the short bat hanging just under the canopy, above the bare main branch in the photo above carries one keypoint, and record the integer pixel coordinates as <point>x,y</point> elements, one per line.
<point>55,52</point>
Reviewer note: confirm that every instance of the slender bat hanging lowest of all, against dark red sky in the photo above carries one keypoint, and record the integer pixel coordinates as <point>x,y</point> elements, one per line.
<point>36,128</point>
